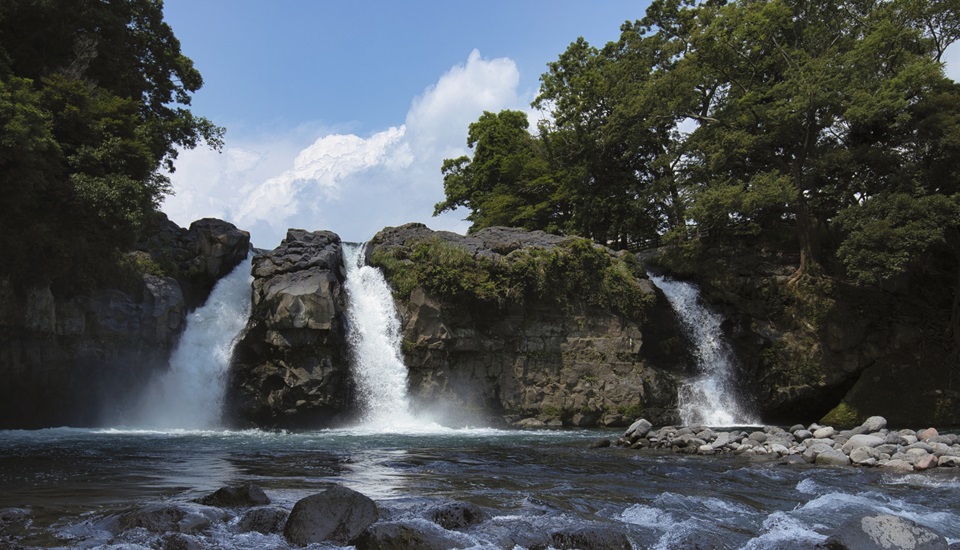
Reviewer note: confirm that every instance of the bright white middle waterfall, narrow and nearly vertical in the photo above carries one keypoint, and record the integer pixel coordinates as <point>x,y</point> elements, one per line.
<point>373,331</point>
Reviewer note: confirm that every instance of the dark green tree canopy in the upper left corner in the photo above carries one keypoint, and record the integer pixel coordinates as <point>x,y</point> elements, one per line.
<point>94,101</point>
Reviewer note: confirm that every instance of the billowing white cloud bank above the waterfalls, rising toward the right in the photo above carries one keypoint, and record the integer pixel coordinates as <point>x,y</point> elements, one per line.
<point>349,184</point>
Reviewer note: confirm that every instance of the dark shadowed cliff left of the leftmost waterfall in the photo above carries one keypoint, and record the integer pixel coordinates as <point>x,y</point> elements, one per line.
<point>73,360</point>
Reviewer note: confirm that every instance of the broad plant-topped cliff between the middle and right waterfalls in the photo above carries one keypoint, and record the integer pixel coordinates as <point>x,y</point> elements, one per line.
<point>528,327</point>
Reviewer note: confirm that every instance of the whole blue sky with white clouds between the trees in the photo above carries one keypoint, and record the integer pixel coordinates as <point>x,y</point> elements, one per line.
<point>339,114</point>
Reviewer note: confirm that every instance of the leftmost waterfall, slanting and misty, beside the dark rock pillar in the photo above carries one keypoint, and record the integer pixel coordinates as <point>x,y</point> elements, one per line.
<point>190,393</point>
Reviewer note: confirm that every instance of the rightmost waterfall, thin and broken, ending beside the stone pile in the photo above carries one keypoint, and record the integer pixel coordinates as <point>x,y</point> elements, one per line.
<point>709,398</point>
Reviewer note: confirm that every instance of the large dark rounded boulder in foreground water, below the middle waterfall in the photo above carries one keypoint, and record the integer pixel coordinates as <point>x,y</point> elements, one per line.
<point>337,515</point>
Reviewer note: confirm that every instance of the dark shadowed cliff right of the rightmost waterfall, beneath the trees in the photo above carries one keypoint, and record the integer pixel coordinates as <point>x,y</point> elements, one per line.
<point>820,347</point>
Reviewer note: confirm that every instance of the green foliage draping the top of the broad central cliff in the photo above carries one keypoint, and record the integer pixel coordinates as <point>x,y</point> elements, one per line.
<point>575,273</point>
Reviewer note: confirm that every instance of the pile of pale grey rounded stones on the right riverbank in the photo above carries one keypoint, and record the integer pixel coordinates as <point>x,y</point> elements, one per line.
<point>870,444</point>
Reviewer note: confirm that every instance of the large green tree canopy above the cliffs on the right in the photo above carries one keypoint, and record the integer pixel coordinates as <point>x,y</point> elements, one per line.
<point>823,127</point>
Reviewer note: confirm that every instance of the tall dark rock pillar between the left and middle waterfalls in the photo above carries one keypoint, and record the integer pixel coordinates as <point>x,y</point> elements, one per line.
<point>290,369</point>
